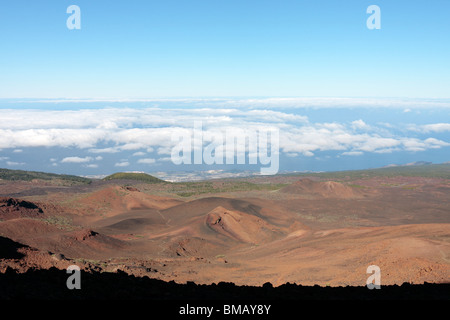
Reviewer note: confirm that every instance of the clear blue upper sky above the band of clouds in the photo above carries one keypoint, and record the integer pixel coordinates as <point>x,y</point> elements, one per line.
<point>142,49</point>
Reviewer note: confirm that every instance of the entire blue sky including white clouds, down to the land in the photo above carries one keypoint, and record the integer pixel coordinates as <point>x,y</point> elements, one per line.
<point>108,97</point>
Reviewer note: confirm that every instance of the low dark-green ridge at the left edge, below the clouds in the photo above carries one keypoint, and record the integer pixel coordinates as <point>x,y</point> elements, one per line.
<point>21,175</point>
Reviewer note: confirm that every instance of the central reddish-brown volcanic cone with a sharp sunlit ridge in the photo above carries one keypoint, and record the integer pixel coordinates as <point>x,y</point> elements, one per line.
<point>197,218</point>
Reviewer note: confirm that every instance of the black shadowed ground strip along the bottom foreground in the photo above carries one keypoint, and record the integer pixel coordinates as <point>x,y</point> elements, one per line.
<point>50,284</point>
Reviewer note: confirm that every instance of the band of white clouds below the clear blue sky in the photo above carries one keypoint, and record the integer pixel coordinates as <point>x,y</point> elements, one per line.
<point>142,131</point>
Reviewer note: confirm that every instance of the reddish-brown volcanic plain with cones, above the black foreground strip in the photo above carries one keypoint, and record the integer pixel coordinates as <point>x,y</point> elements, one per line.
<point>309,232</point>
